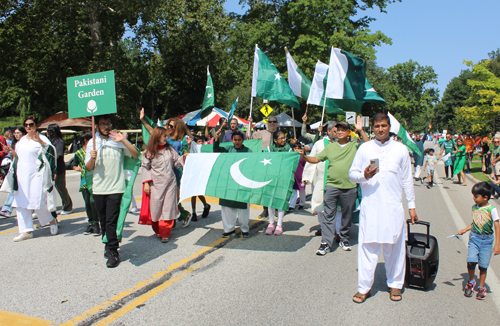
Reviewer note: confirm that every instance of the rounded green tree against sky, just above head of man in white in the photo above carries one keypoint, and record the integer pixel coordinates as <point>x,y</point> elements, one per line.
<point>408,94</point>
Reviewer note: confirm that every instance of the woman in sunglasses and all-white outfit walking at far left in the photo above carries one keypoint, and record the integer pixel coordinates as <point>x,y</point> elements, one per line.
<point>34,180</point>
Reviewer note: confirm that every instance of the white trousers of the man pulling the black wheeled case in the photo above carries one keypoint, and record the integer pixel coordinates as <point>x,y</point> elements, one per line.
<point>395,263</point>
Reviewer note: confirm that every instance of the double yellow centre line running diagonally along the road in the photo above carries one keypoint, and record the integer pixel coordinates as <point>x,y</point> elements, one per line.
<point>148,295</point>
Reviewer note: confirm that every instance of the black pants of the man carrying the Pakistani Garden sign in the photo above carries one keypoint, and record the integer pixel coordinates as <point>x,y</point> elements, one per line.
<point>108,209</point>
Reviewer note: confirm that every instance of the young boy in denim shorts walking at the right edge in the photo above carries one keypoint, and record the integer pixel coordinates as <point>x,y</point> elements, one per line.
<point>484,219</point>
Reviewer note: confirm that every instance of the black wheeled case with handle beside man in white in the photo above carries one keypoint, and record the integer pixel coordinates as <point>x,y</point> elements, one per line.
<point>422,258</point>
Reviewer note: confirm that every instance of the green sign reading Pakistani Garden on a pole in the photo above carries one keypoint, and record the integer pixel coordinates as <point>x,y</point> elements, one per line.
<point>91,95</point>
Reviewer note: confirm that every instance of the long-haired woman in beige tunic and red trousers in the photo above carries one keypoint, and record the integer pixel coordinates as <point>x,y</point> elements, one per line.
<point>158,178</point>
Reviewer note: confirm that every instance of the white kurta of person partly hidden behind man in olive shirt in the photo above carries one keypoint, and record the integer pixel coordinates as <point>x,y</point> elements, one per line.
<point>315,175</point>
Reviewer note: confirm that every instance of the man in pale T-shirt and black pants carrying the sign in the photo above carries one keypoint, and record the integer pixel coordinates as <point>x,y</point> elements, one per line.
<point>106,161</point>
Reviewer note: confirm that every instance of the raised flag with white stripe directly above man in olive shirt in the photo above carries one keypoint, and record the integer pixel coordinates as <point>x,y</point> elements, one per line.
<point>346,80</point>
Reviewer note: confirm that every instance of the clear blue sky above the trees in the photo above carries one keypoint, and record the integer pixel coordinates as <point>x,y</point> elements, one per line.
<point>437,33</point>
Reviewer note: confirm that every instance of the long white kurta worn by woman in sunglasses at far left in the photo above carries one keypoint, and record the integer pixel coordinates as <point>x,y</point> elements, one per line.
<point>30,192</point>
